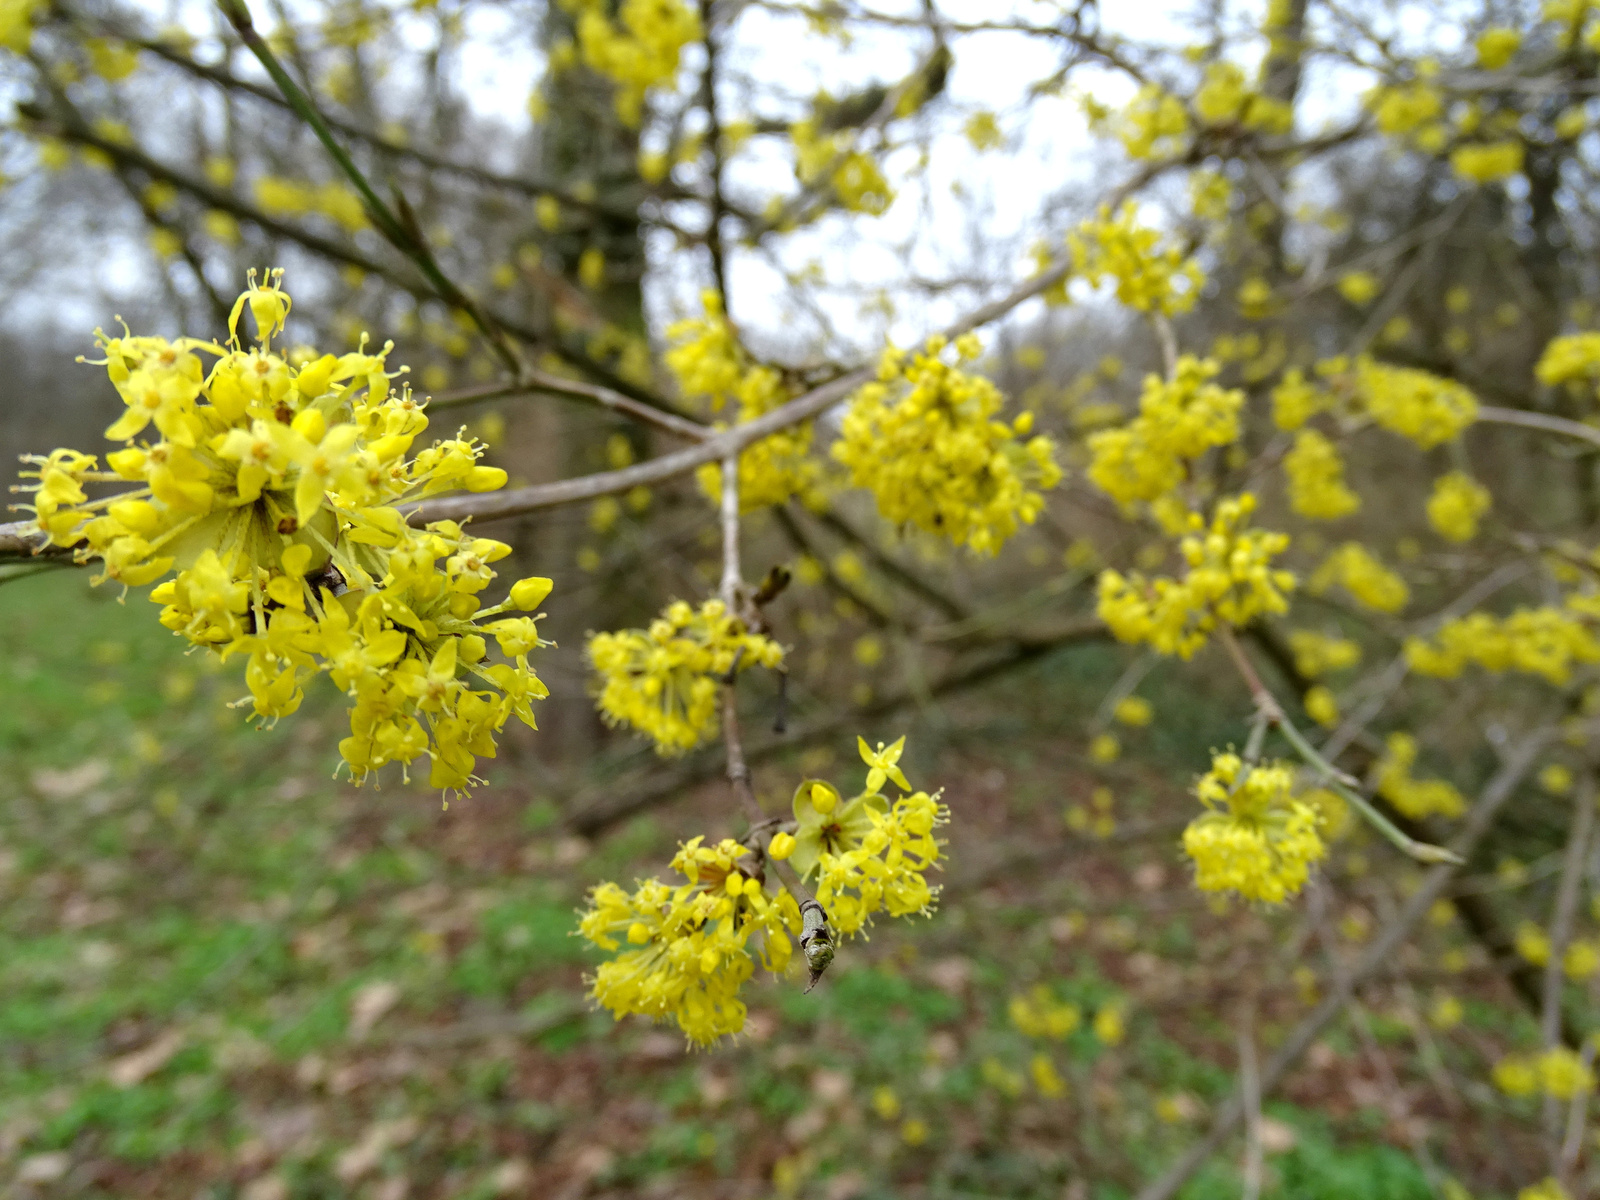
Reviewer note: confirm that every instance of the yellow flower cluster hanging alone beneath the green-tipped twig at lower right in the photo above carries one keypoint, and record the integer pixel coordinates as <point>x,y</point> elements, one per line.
<point>1255,838</point>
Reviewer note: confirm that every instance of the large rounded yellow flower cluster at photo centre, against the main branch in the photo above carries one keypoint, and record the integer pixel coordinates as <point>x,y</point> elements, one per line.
<point>927,444</point>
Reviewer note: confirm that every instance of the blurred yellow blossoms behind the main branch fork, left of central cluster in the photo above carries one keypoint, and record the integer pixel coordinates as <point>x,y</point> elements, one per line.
<point>710,362</point>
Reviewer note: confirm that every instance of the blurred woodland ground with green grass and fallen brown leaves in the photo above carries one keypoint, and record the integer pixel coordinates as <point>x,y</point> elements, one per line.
<point>226,975</point>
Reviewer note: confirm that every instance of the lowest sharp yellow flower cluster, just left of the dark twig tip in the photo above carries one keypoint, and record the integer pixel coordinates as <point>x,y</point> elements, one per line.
<point>690,945</point>
